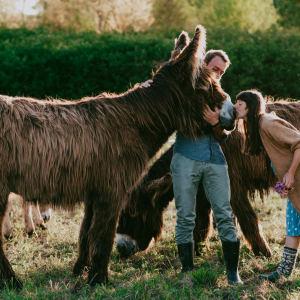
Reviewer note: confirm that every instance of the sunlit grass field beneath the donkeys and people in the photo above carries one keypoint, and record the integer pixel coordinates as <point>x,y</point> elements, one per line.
<point>44,264</point>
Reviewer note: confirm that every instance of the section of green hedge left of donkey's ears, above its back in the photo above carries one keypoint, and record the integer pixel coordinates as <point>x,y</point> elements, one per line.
<point>72,65</point>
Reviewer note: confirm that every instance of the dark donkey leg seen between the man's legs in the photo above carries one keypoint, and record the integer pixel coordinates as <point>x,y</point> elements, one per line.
<point>202,231</point>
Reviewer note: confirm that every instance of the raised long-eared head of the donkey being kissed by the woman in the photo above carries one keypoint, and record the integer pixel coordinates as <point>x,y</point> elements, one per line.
<point>197,85</point>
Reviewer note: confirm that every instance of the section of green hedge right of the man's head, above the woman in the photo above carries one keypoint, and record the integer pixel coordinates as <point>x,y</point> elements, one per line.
<point>268,61</point>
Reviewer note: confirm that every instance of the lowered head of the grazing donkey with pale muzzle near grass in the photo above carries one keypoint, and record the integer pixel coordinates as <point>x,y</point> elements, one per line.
<point>142,219</point>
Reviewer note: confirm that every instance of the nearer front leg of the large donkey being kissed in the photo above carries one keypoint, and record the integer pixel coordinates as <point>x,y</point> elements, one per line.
<point>101,238</point>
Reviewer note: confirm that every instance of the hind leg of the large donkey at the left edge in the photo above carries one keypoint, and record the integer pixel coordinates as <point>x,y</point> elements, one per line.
<point>7,275</point>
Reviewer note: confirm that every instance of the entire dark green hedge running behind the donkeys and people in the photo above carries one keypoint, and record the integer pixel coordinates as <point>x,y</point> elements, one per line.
<point>68,65</point>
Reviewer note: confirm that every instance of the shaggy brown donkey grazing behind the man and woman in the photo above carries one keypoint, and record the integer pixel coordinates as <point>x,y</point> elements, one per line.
<point>142,219</point>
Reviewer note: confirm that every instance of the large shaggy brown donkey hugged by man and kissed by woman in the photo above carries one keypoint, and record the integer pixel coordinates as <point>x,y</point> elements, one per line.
<point>94,150</point>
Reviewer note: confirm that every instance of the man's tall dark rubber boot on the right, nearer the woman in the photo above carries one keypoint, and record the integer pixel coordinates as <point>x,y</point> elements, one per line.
<point>231,258</point>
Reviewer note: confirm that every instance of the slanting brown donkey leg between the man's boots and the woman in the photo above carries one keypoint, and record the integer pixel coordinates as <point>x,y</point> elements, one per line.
<point>250,226</point>
